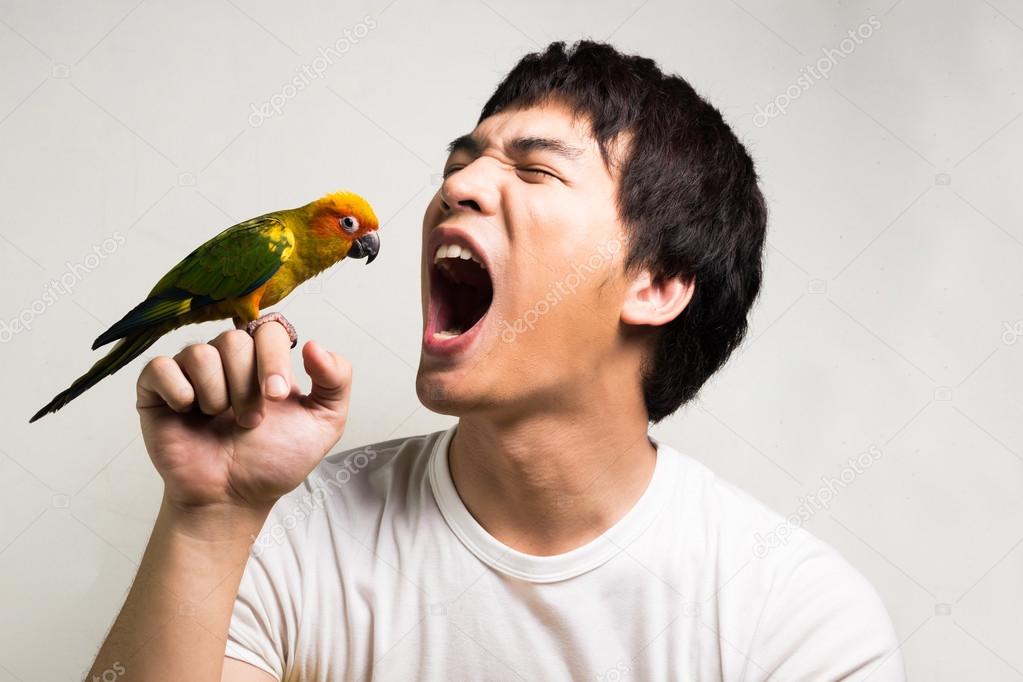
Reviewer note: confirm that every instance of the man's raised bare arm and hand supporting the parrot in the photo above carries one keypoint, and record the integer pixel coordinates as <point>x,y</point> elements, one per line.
<point>229,440</point>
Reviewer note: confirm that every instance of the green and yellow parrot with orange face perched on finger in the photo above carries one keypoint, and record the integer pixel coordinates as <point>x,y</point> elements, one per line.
<point>247,267</point>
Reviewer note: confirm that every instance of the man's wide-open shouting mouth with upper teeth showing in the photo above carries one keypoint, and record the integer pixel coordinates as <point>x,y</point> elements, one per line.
<point>461,293</point>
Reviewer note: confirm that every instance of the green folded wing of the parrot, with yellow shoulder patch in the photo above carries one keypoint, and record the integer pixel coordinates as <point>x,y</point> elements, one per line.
<point>233,264</point>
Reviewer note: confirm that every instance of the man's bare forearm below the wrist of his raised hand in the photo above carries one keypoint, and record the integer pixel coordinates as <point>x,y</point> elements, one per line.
<point>174,623</point>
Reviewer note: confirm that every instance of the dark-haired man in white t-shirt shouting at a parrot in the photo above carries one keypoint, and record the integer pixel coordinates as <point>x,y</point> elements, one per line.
<point>589,262</point>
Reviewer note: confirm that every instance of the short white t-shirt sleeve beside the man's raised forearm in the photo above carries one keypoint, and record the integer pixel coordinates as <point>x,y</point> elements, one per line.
<point>261,619</point>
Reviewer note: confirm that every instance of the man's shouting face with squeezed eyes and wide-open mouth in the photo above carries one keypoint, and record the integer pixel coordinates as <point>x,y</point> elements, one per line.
<point>530,197</point>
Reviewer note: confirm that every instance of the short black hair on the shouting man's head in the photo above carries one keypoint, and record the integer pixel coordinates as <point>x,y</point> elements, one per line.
<point>688,196</point>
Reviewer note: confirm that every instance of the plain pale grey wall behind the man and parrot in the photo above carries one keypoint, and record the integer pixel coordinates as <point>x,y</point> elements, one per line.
<point>892,319</point>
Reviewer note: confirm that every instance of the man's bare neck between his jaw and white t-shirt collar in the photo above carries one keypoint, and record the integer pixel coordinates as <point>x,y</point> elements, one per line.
<point>548,485</point>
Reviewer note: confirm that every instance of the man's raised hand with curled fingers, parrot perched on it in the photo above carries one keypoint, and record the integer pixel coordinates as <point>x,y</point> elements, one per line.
<point>226,424</point>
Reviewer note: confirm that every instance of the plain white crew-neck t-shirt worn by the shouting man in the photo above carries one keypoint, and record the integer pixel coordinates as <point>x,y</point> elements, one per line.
<point>374,569</point>
